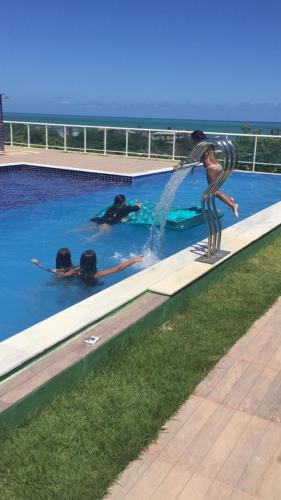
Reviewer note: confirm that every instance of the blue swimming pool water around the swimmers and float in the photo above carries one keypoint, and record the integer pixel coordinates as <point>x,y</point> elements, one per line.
<point>40,213</point>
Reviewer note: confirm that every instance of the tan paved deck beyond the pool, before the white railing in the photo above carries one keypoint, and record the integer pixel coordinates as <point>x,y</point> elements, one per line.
<point>120,165</point>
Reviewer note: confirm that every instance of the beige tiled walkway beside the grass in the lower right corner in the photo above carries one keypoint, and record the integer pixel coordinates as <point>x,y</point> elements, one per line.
<point>225,442</point>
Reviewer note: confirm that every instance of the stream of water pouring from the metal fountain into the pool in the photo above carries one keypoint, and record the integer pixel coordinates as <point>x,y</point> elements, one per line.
<point>152,246</point>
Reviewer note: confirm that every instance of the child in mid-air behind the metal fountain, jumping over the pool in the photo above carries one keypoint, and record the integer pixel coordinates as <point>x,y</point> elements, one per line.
<point>213,169</point>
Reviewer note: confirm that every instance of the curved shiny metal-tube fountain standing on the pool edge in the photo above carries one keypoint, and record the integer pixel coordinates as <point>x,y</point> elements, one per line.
<point>208,204</point>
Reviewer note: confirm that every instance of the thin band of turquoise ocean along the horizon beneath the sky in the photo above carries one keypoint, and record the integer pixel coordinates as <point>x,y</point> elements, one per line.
<point>152,123</point>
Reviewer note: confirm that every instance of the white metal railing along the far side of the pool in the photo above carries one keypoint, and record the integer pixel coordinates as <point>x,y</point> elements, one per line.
<point>256,152</point>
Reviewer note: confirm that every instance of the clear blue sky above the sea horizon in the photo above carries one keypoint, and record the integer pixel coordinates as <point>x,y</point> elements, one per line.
<point>181,59</point>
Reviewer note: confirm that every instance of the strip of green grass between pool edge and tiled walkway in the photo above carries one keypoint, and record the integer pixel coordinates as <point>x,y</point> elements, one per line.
<point>79,443</point>
